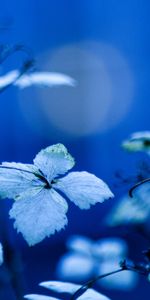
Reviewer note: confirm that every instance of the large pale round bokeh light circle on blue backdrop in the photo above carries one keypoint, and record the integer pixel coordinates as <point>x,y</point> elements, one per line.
<point>101,99</point>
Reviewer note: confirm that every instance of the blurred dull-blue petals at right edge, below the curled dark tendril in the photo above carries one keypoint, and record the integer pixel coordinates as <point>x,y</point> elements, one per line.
<point>135,210</point>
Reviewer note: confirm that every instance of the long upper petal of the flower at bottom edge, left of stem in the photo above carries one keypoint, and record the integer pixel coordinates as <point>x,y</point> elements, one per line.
<point>61,287</point>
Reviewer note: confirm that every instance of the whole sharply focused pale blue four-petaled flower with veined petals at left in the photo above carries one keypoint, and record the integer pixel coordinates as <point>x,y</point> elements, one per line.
<point>39,209</point>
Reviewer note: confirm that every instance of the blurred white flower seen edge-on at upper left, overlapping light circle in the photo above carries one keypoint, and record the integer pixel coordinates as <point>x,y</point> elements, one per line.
<point>47,79</point>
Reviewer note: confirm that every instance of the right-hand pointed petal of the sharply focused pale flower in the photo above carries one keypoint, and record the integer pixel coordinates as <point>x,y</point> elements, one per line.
<point>84,189</point>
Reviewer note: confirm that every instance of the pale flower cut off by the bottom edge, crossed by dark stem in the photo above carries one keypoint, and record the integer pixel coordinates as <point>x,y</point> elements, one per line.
<point>66,287</point>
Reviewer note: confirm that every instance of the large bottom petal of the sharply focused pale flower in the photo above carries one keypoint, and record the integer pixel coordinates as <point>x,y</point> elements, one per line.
<point>40,215</point>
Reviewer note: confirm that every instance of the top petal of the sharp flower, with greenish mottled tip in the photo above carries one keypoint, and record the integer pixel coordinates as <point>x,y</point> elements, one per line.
<point>53,161</point>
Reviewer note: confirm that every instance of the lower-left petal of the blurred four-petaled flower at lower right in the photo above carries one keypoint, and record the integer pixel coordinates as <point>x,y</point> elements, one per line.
<point>75,267</point>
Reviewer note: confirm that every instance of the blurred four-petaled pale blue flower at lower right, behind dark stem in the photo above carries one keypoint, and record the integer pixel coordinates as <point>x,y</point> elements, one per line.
<point>88,259</point>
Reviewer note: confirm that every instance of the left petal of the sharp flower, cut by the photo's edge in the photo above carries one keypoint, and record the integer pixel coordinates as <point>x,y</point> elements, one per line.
<point>16,178</point>
